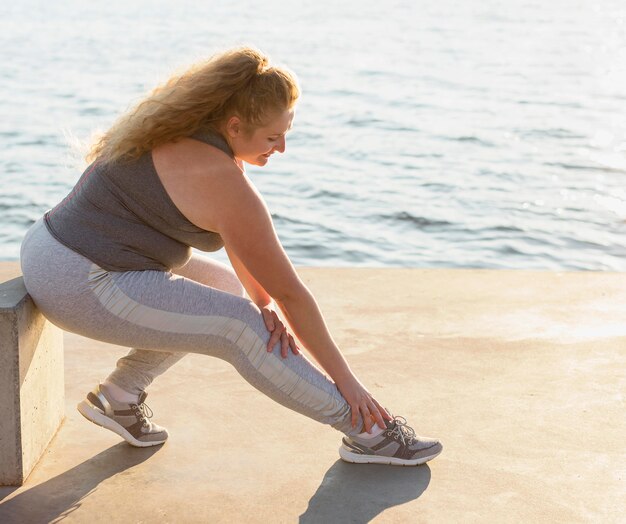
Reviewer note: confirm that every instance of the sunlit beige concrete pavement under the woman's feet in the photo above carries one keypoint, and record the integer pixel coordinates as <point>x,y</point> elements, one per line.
<point>522,375</point>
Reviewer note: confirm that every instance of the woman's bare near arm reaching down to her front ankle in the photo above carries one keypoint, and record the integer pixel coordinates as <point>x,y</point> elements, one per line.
<point>241,217</point>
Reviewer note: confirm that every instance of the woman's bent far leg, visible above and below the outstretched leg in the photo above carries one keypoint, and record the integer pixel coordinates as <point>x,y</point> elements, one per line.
<point>135,371</point>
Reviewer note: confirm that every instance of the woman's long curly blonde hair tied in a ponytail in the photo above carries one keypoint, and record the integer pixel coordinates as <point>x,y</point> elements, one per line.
<point>240,81</point>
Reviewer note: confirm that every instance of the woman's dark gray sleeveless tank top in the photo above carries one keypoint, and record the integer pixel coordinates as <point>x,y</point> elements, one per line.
<point>119,216</point>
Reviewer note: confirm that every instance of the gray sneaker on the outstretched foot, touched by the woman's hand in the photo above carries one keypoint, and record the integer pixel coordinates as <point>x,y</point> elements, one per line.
<point>397,445</point>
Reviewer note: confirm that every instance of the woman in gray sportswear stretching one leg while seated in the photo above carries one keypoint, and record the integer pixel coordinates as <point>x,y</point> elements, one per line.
<point>113,261</point>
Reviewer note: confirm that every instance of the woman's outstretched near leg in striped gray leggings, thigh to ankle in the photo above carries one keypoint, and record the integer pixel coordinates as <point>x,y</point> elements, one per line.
<point>175,314</point>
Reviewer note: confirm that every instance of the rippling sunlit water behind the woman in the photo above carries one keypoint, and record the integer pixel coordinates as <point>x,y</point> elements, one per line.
<point>473,133</point>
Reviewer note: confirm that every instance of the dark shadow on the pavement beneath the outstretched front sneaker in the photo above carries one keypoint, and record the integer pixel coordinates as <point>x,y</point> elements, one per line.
<point>357,493</point>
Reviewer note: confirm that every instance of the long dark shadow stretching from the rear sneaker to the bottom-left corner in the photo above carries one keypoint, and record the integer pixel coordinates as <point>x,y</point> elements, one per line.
<point>56,498</point>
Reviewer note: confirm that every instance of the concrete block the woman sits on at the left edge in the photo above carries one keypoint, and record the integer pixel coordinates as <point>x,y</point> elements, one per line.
<point>31,383</point>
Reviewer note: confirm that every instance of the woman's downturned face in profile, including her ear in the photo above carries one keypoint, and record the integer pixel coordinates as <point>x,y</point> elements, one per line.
<point>257,147</point>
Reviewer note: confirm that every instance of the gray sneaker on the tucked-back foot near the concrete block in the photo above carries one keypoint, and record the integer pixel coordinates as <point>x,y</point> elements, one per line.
<point>129,421</point>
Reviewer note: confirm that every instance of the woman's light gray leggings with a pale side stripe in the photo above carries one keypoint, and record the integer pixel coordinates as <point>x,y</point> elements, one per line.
<point>162,315</point>
